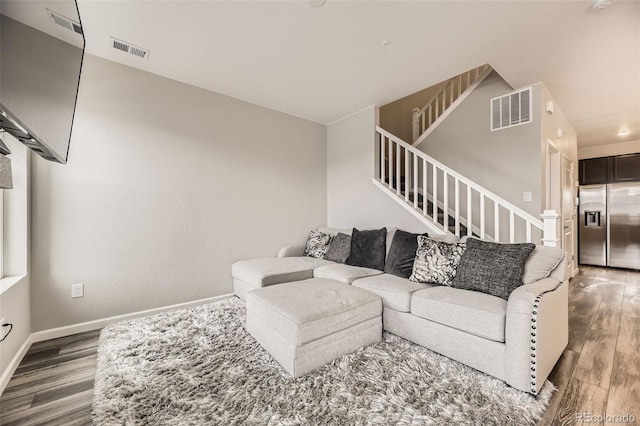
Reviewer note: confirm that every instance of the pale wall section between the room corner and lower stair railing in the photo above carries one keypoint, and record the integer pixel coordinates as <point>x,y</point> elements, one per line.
<point>352,198</point>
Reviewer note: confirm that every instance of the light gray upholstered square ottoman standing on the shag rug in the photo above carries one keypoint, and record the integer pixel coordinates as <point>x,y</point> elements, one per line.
<point>306,324</point>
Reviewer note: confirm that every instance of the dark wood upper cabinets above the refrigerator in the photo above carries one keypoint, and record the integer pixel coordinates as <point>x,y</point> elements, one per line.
<point>623,168</point>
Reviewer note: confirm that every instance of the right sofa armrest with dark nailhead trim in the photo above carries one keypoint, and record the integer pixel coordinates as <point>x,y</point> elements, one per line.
<point>537,331</point>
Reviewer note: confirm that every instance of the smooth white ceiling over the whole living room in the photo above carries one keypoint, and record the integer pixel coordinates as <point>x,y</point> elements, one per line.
<point>323,63</point>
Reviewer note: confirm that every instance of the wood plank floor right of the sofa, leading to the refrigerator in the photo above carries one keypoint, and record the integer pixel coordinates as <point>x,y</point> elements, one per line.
<point>598,374</point>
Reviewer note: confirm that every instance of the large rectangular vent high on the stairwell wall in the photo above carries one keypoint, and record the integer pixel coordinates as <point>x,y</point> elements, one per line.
<point>512,109</point>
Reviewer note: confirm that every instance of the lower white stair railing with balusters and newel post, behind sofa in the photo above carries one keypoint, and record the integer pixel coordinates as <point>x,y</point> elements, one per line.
<point>447,202</point>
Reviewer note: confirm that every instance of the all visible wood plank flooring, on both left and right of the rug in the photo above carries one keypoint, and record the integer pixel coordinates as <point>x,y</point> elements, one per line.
<point>598,374</point>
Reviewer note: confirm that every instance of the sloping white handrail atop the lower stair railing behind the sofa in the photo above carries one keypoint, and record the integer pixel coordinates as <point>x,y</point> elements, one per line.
<point>478,188</point>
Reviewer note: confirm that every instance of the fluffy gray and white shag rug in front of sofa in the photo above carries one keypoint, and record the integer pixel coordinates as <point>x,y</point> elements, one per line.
<point>199,366</point>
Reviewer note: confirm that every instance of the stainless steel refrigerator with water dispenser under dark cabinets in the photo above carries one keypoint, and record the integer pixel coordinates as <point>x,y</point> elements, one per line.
<point>610,225</point>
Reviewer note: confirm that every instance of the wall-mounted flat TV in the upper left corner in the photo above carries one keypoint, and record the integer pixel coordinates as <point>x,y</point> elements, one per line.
<point>42,46</point>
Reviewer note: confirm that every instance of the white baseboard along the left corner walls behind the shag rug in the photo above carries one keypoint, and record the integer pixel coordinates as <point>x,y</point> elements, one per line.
<point>68,330</point>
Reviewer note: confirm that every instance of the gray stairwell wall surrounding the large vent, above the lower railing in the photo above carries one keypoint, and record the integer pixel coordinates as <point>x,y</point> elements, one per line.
<point>507,162</point>
